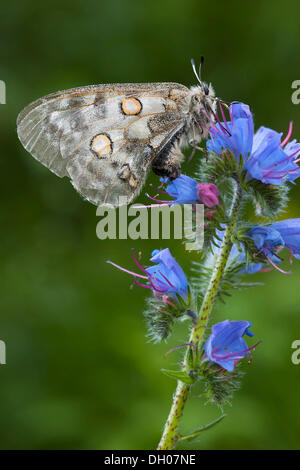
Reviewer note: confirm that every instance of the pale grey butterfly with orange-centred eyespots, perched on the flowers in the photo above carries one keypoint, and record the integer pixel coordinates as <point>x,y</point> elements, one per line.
<point>105,138</point>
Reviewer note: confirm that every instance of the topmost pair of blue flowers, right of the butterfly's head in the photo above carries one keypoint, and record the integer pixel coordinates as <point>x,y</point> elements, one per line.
<point>266,157</point>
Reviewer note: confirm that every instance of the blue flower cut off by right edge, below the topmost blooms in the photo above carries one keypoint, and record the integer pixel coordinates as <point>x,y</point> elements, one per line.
<point>283,234</point>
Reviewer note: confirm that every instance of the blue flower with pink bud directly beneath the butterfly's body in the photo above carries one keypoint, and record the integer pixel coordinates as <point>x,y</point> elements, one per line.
<point>186,190</point>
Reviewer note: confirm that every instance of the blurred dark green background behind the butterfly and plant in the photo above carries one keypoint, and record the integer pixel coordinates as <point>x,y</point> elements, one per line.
<point>79,372</point>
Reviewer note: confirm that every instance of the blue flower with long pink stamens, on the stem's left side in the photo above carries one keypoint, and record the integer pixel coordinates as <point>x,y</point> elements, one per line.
<point>165,277</point>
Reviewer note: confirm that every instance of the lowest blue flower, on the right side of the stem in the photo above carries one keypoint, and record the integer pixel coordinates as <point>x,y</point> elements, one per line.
<point>226,345</point>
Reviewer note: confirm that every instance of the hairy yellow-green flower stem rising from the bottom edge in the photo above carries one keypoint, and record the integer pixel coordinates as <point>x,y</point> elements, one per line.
<point>170,434</point>
